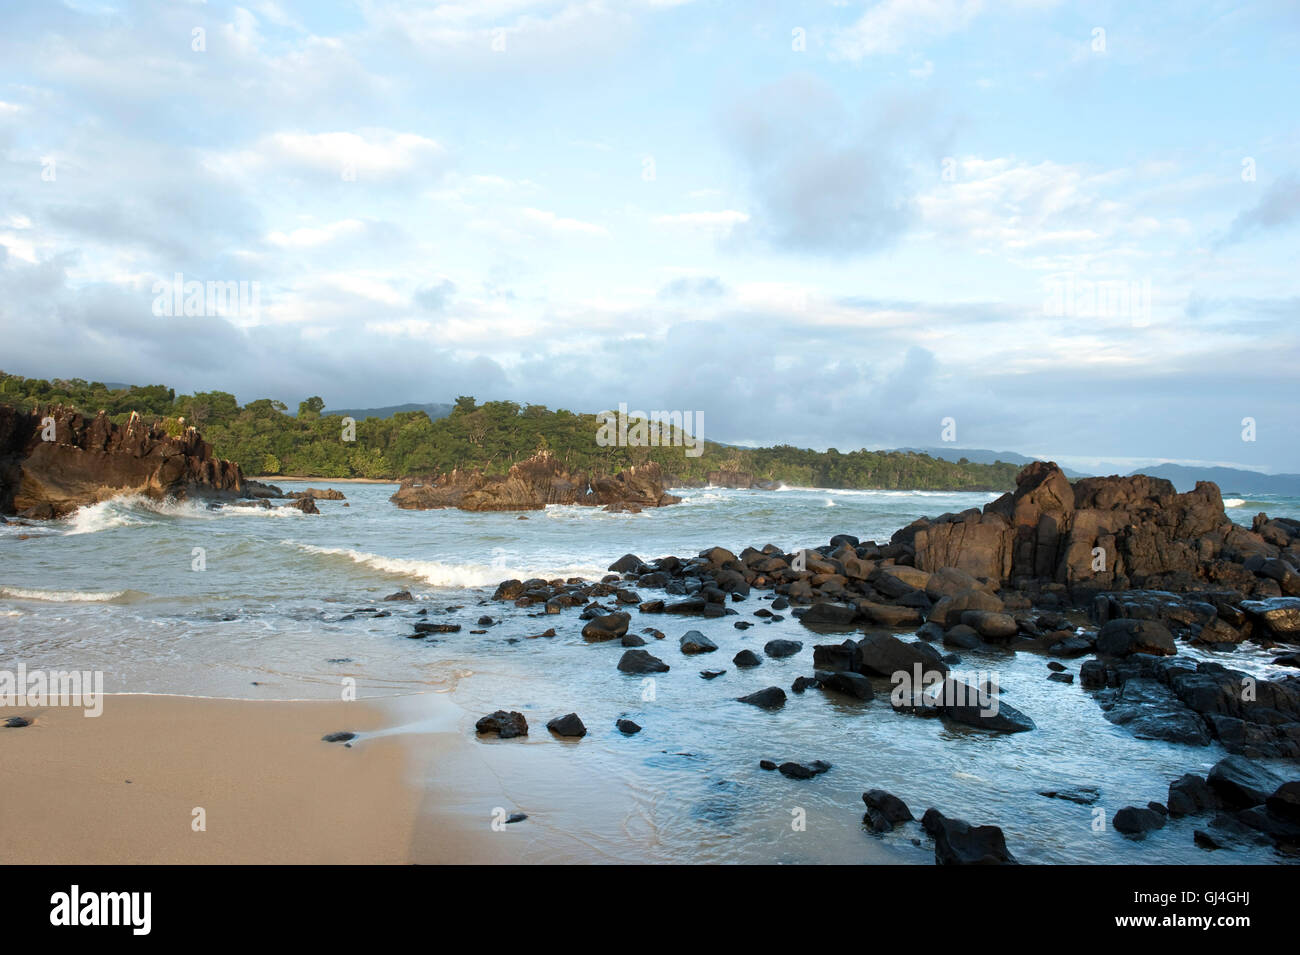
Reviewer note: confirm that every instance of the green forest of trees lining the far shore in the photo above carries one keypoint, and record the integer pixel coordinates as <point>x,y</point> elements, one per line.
<point>266,439</point>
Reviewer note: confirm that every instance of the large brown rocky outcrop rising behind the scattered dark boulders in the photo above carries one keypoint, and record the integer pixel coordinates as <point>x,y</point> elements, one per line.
<point>1110,533</point>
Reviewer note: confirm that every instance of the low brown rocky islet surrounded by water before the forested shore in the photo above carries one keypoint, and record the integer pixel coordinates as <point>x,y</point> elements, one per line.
<point>532,485</point>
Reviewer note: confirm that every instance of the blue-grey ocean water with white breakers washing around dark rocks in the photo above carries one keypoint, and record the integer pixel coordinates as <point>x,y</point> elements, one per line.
<point>177,598</point>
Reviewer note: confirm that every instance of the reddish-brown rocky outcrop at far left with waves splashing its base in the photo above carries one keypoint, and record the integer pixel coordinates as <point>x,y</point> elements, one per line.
<point>57,461</point>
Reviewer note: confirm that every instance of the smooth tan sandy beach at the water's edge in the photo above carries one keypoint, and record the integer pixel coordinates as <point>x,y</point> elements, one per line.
<point>123,788</point>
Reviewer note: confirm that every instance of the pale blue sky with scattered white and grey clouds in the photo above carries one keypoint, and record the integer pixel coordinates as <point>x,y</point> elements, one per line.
<point>1063,229</point>
